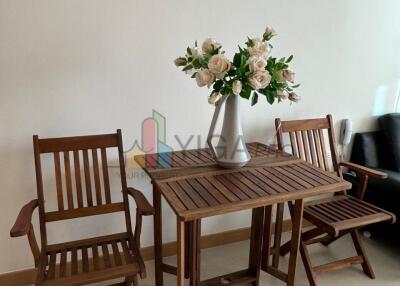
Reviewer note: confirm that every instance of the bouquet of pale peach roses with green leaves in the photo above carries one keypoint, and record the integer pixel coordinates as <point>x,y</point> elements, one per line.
<point>252,73</point>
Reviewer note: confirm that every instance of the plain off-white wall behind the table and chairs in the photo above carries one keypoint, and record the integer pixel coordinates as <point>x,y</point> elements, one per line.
<point>81,67</point>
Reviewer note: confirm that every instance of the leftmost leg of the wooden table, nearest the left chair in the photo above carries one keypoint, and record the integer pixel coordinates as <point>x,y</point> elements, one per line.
<point>157,236</point>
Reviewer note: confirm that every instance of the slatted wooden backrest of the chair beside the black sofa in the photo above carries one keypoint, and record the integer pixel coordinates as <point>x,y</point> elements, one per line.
<point>307,141</point>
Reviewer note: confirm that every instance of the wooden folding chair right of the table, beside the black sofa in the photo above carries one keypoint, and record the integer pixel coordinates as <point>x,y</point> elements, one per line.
<point>332,217</point>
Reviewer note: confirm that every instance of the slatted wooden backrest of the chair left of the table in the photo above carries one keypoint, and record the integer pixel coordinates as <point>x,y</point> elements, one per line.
<point>82,184</point>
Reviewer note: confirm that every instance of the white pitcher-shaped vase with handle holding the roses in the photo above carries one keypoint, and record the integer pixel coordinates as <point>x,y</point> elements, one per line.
<point>231,151</point>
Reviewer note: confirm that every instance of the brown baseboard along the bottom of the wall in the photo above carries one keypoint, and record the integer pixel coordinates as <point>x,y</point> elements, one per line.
<point>27,276</point>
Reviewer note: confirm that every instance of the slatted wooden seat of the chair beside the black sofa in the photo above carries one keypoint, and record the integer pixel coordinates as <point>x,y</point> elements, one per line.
<point>341,213</point>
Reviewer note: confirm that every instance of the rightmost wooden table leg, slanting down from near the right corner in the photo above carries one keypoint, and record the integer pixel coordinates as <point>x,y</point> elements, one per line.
<point>297,221</point>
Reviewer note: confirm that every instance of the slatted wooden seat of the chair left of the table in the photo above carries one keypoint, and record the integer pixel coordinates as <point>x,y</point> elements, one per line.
<point>90,260</point>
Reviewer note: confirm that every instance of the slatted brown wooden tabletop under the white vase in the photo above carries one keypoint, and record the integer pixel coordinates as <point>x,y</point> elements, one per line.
<point>196,190</point>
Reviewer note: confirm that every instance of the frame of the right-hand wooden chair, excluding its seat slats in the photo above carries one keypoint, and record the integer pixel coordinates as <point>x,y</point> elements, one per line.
<point>303,132</point>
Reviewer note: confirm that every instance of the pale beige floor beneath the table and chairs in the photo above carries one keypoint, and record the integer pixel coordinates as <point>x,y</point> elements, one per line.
<point>229,258</point>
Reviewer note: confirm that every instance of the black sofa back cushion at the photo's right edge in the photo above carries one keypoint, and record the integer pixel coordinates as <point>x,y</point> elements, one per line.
<point>390,127</point>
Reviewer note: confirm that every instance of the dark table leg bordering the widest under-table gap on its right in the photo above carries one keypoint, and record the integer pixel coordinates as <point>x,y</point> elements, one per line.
<point>256,236</point>
